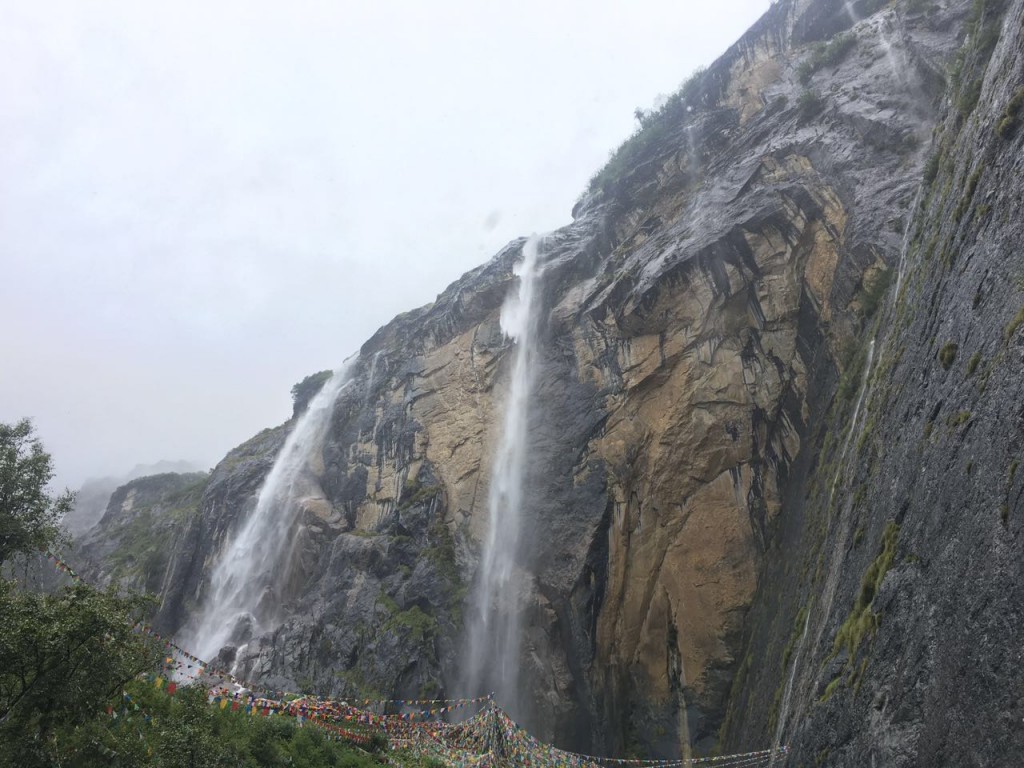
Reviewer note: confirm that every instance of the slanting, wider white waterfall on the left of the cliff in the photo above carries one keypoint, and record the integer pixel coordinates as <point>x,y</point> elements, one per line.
<point>245,598</point>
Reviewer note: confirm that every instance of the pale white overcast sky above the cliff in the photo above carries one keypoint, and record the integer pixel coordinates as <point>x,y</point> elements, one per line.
<point>204,201</point>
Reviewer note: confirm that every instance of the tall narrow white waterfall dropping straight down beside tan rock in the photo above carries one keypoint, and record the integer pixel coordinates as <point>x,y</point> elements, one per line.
<point>494,631</point>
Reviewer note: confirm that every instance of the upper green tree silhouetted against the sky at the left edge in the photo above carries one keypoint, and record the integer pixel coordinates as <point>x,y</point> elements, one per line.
<point>29,516</point>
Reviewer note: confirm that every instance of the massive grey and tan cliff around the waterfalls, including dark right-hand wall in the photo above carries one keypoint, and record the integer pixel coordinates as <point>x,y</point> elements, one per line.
<point>706,475</point>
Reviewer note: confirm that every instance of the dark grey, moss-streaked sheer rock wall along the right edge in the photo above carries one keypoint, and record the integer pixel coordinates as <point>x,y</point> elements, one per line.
<point>889,627</point>
